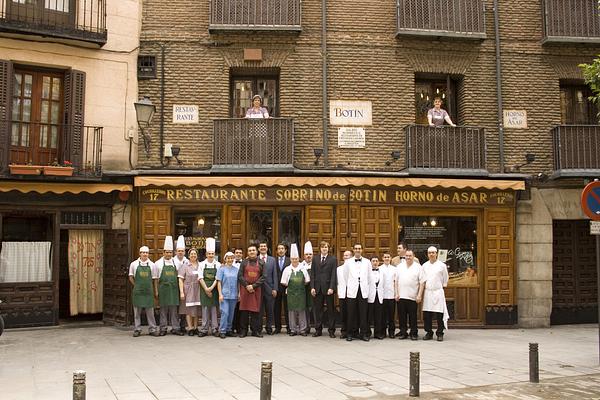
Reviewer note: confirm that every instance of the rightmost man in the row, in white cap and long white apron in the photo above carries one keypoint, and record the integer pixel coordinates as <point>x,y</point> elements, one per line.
<point>435,278</point>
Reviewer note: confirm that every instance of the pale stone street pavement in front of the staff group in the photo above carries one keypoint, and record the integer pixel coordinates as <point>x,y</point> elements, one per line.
<point>38,364</point>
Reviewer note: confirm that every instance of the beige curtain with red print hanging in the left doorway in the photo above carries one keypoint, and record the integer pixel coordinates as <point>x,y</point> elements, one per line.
<point>86,262</point>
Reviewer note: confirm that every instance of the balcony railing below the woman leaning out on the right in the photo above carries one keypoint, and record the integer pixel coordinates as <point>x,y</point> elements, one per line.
<point>445,150</point>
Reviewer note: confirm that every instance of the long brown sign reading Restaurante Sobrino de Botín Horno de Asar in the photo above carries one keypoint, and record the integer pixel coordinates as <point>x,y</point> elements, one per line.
<point>308,195</point>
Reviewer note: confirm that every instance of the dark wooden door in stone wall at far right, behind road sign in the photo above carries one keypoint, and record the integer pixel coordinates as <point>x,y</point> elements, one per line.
<point>574,290</point>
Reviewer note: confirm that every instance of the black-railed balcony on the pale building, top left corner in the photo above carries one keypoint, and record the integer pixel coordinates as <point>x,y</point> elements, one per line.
<point>83,21</point>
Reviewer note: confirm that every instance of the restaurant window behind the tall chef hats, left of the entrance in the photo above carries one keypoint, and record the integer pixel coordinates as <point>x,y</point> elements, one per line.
<point>196,226</point>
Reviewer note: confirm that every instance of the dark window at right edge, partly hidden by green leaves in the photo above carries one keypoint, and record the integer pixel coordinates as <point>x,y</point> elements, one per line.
<point>575,108</point>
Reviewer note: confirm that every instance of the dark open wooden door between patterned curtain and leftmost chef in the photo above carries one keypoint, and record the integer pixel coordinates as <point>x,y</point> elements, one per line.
<point>116,270</point>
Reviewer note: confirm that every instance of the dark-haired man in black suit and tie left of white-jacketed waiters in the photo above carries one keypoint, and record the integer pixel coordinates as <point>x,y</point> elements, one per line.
<point>322,288</point>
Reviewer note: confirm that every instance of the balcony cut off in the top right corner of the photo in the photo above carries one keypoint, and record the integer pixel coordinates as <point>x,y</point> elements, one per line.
<point>571,21</point>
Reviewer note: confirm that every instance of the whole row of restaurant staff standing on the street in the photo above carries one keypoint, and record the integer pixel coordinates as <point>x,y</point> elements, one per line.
<point>246,289</point>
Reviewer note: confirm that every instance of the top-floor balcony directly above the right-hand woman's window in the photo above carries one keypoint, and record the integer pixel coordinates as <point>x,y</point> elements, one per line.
<point>441,18</point>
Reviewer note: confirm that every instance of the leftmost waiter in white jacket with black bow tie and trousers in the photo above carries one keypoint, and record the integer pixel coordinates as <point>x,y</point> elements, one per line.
<point>357,293</point>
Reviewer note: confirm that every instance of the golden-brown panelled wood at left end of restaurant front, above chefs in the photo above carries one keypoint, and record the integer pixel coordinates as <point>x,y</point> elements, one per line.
<point>156,224</point>
